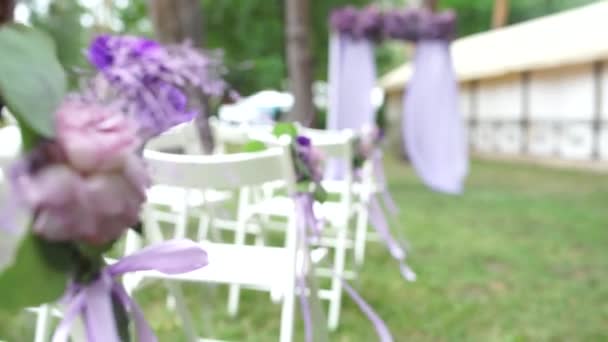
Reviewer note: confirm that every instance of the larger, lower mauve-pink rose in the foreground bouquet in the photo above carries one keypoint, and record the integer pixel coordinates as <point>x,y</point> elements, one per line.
<point>94,209</point>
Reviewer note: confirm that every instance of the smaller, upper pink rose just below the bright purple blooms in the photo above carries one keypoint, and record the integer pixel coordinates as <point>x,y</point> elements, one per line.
<point>94,137</point>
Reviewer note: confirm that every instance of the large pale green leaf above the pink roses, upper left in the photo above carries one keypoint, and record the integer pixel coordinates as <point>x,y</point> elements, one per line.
<point>33,83</point>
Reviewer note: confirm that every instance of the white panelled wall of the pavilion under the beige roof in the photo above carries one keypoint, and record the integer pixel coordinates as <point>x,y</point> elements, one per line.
<point>560,107</point>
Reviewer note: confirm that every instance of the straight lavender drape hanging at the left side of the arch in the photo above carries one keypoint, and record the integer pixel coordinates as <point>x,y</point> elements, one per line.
<point>352,77</point>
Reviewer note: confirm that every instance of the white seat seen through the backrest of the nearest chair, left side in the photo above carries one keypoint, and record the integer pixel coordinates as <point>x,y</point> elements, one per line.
<point>178,198</point>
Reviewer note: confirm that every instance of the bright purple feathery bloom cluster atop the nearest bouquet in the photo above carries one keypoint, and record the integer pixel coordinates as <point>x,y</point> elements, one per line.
<point>149,81</point>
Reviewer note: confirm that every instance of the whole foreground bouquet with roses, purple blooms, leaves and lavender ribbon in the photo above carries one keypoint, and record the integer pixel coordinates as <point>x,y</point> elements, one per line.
<point>81,181</point>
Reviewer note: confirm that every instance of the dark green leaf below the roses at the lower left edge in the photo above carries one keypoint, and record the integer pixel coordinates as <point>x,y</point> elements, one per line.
<point>38,275</point>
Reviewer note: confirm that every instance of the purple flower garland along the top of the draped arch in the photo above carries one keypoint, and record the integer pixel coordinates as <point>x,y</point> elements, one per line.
<point>410,24</point>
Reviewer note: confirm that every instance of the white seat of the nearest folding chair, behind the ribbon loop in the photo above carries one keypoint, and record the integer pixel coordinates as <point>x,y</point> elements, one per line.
<point>259,267</point>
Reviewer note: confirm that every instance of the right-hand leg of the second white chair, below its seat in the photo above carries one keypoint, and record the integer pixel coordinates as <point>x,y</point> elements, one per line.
<point>335,301</point>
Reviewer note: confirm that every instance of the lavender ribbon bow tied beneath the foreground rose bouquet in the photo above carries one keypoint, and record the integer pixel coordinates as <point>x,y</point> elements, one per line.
<point>94,301</point>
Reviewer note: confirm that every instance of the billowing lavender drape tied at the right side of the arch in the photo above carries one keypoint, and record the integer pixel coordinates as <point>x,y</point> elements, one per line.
<point>433,127</point>
